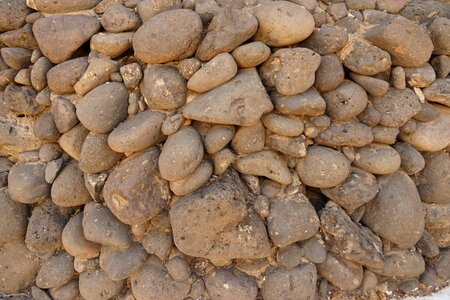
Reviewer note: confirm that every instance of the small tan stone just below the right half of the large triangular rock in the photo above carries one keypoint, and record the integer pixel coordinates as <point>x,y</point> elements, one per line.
<point>249,139</point>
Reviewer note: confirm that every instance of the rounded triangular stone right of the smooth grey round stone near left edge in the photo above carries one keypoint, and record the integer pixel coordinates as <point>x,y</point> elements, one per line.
<point>68,189</point>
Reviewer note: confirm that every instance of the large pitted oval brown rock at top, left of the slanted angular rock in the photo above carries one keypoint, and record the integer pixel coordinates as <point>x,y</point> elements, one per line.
<point>174,35</point>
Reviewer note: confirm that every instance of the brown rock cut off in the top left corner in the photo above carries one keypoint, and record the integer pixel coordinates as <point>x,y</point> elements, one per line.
<point>13,14</point>
